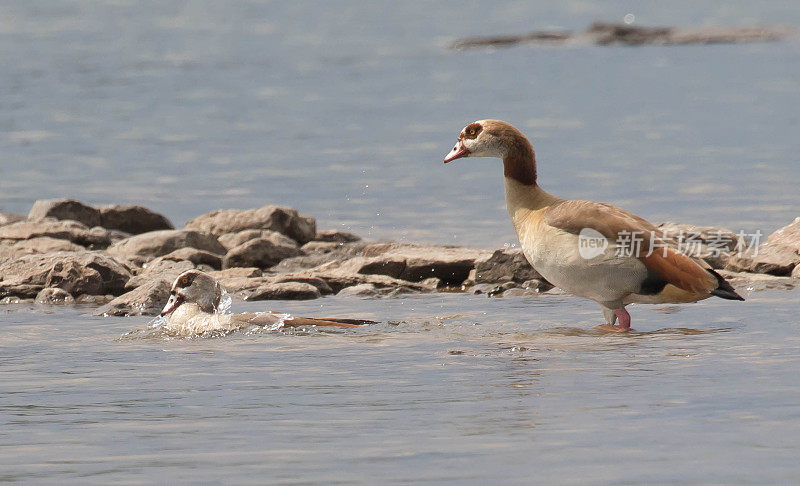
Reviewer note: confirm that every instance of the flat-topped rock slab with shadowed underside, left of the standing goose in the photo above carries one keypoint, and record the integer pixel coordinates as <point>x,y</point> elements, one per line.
<point>450,264</point>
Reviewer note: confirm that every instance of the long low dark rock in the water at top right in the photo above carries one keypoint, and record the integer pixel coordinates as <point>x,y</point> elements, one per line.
<point>607,34</point>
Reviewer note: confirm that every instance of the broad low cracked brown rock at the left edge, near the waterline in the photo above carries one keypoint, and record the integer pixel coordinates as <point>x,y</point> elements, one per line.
<point>80,272</point>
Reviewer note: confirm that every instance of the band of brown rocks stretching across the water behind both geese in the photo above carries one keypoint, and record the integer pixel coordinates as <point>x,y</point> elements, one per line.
<point>123,259</point>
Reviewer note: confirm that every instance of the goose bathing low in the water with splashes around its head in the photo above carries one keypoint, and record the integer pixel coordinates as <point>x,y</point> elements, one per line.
<point>193,308</point>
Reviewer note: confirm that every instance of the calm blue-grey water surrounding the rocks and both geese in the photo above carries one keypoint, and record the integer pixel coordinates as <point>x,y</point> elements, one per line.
<point>345,110</point>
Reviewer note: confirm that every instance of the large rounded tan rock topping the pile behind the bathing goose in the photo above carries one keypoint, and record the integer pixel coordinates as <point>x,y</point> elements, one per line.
<point>287,221</point>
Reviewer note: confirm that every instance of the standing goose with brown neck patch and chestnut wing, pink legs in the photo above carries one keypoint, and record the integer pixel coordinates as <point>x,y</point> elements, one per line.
<point>550,230</point>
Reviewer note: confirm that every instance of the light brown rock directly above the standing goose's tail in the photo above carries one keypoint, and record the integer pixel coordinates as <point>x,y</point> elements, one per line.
<point>712,244</point>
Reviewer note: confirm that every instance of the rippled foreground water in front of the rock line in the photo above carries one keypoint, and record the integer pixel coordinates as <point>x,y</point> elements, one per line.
<point>460,388</point>
